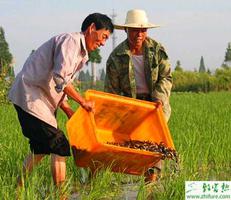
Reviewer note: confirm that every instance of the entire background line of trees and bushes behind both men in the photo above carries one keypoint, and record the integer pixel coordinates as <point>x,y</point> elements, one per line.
<point>201,80</point>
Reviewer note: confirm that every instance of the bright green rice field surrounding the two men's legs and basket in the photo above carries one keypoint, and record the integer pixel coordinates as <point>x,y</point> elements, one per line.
<point>200,127</point>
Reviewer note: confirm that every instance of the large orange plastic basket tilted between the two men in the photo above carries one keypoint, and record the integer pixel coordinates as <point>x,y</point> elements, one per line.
<point>117,119</point>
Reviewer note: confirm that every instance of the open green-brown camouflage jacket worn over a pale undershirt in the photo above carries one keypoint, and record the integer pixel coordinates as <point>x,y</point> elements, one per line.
<point>120,77</point>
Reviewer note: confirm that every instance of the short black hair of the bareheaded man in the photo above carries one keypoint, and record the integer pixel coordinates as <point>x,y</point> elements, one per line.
<point>100,20</point>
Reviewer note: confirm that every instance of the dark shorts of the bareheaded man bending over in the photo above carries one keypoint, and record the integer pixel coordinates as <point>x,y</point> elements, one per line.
<point>43,138</point>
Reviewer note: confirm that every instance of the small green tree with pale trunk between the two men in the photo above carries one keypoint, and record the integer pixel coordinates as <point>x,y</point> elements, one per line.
<point>94,57</point>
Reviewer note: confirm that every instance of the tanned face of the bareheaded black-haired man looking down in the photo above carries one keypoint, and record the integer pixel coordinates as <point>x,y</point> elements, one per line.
<point>96,38</point>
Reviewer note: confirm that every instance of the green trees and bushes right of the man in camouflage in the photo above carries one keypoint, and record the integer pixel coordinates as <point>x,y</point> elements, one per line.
<point>203,80</point>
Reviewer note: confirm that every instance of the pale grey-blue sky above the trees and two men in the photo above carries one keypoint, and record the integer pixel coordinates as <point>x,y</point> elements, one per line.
<point>189,28</point>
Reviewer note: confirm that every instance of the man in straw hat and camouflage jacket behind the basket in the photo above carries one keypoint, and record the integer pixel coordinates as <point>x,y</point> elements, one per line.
<point>139,68</point>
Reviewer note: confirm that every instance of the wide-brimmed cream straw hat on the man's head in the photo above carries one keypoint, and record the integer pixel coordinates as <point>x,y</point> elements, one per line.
<point>136,19</point>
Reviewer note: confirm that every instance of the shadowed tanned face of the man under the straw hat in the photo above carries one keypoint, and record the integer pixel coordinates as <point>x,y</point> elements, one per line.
<point>136,37</point>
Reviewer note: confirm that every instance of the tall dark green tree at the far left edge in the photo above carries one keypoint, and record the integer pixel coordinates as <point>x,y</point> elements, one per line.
<point>5,55</point>
